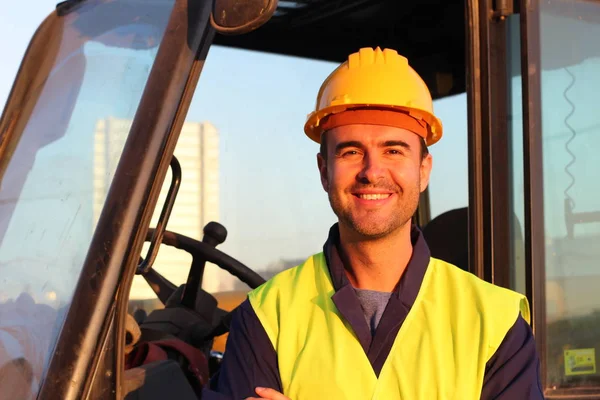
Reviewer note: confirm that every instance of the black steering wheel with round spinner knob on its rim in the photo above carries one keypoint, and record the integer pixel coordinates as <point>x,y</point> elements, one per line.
<point>201,252</point>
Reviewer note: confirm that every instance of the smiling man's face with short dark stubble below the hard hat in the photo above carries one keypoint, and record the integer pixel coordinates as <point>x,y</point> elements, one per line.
<point>373,176</point>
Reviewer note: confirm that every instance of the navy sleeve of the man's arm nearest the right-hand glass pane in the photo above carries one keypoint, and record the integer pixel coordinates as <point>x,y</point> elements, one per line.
<point>513,372</point>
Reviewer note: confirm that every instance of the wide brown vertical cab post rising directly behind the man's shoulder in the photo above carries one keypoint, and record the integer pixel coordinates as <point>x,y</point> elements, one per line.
<point>489,142</point>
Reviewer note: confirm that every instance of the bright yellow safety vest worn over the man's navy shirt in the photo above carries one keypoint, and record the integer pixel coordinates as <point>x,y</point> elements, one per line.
<point>455,325</point>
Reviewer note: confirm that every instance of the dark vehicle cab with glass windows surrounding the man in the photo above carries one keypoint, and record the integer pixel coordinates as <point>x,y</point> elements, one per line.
<point>153,170</point>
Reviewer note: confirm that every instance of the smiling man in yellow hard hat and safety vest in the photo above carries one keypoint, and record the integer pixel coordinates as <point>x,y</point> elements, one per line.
<point>374,316</point>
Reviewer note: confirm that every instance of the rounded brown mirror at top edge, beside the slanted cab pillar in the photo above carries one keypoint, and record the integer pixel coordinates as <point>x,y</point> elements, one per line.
<point>236,17</point>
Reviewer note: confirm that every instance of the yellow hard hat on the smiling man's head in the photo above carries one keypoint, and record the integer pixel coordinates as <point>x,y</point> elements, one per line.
<point>379,80</point>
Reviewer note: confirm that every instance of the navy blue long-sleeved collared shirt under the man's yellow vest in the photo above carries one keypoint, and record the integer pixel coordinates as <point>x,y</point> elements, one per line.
<point>250,359</point>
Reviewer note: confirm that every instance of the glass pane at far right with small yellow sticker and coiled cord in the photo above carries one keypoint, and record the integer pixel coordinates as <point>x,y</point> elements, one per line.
<point>571,141</point>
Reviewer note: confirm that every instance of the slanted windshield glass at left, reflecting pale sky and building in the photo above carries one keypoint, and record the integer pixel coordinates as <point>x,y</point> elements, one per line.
<point>84,73</point>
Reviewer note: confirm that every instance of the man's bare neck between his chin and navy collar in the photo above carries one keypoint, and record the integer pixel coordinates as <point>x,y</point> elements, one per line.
<point>375,264</point>
